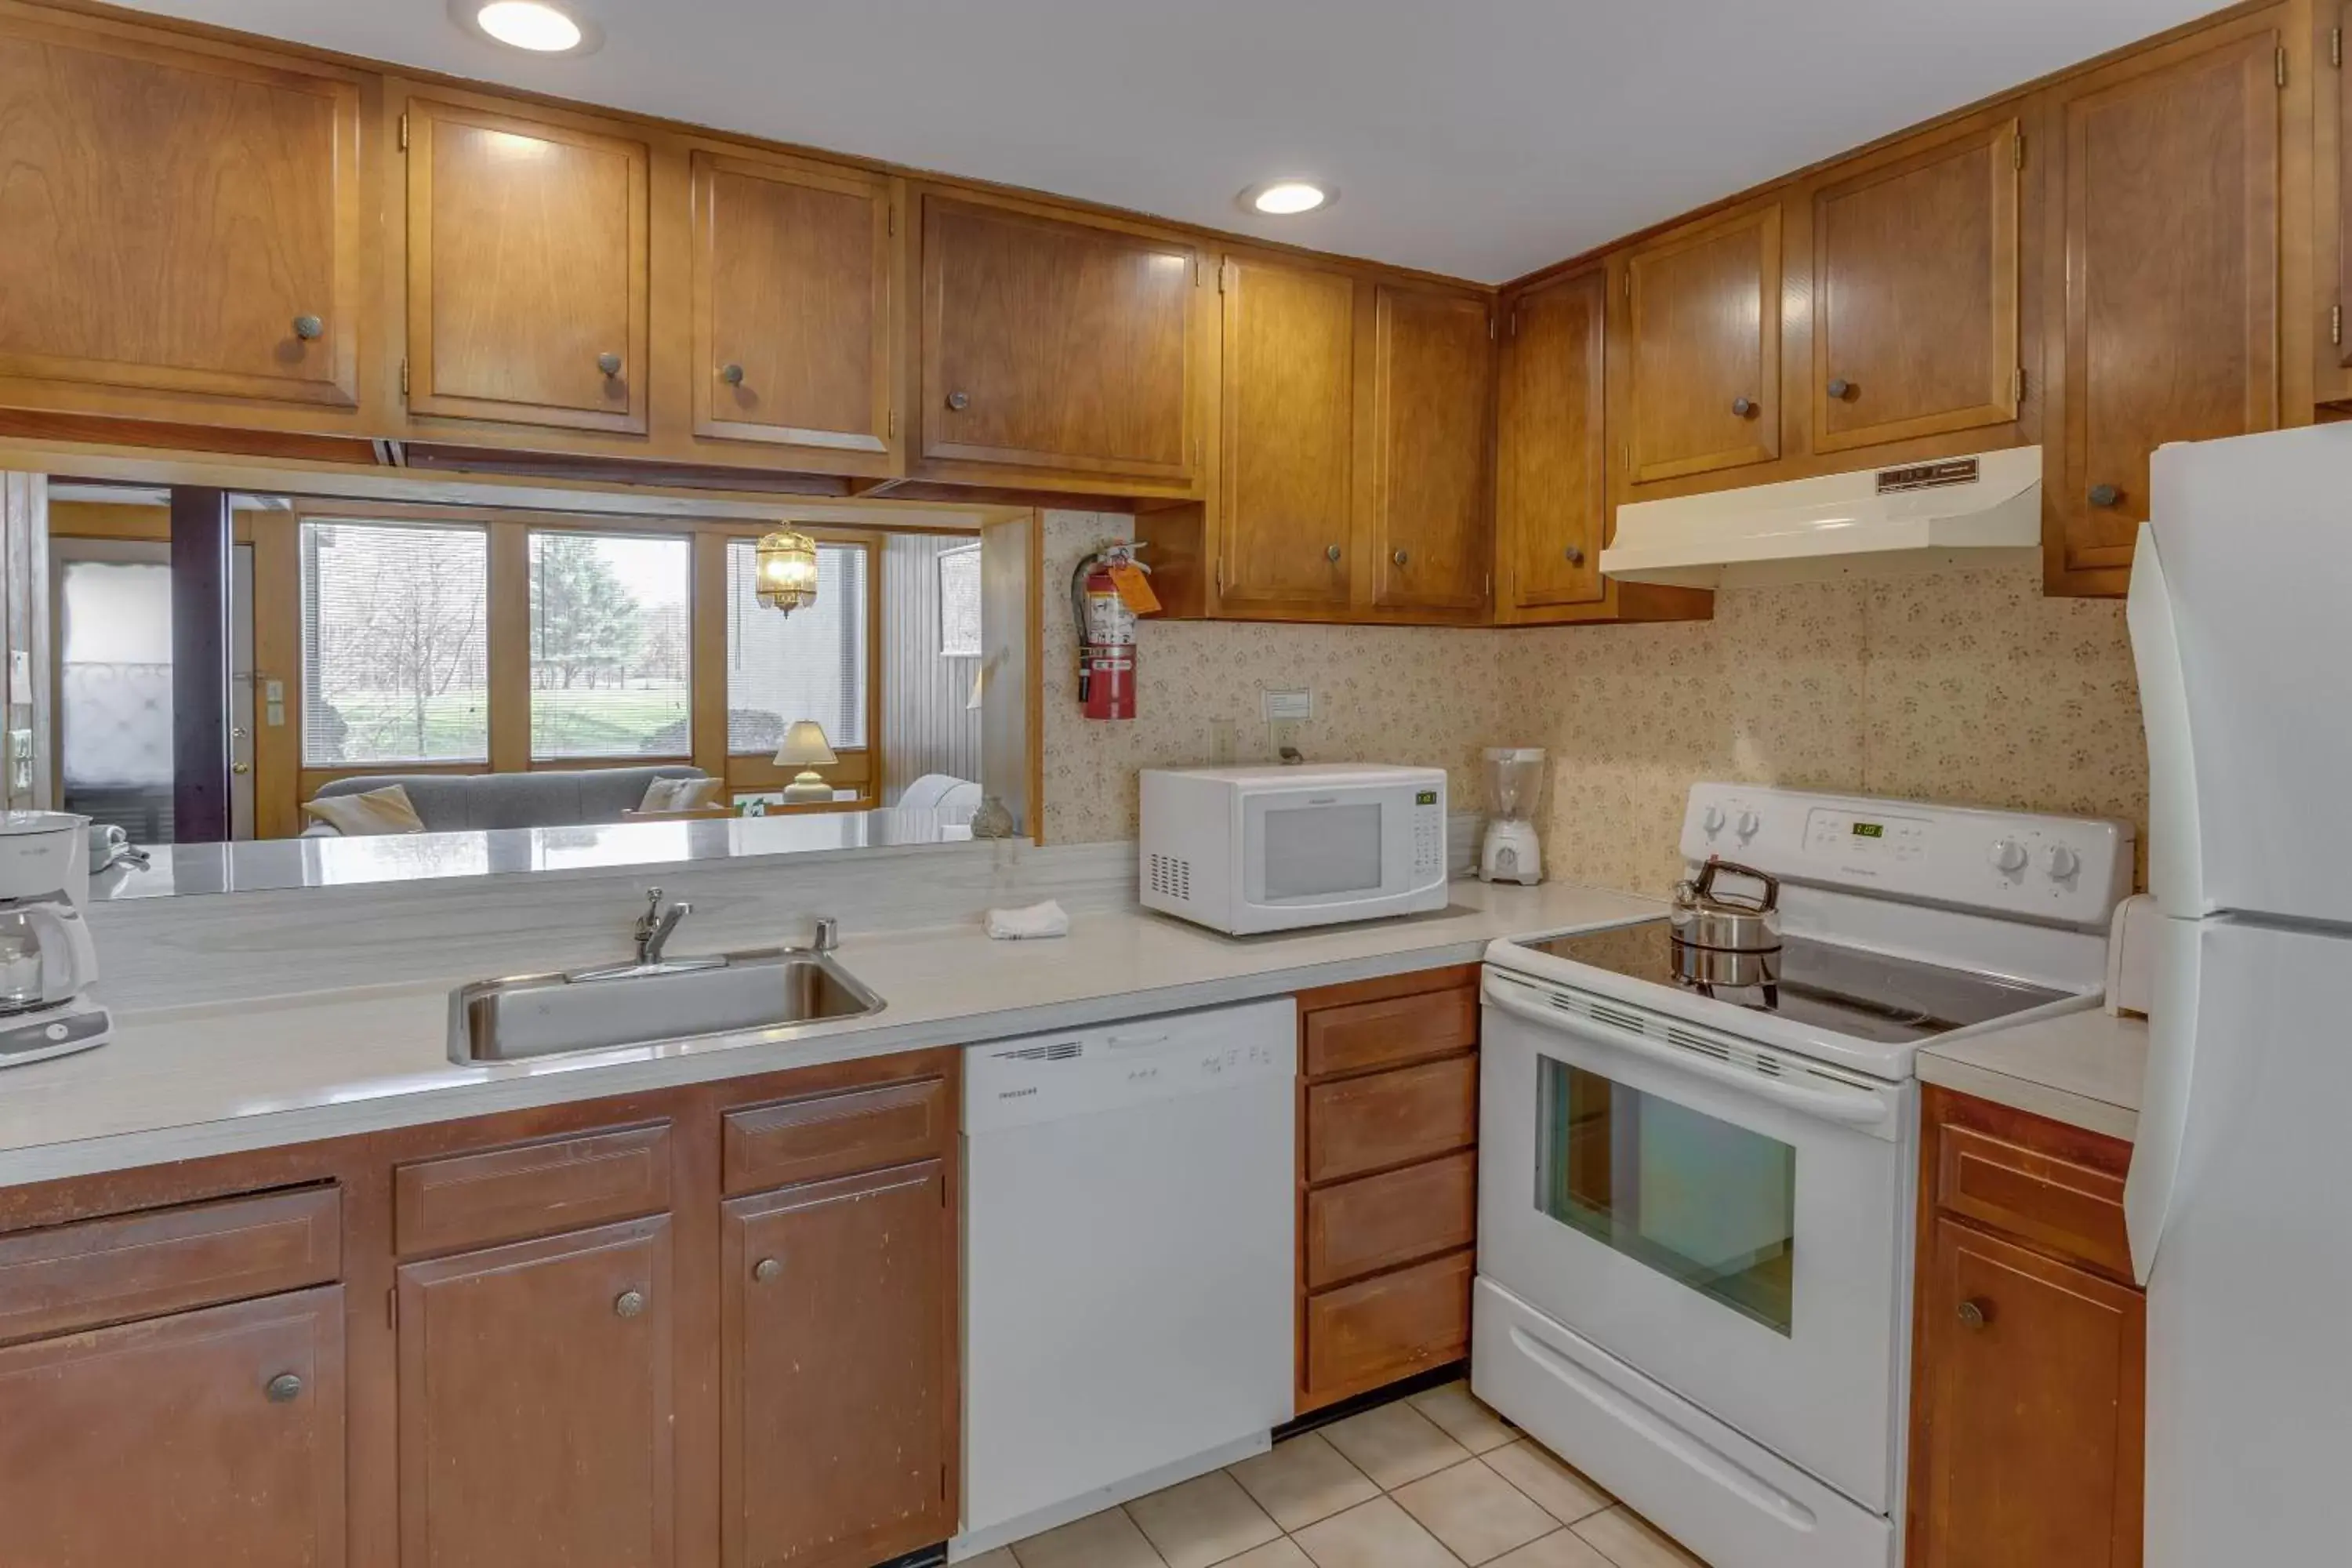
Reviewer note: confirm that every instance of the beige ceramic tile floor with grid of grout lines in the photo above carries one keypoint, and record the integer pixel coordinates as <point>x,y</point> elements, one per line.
<point>1426,1482</point>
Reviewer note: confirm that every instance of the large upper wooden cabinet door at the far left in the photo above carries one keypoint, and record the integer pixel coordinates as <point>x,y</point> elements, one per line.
<point>178,220</point>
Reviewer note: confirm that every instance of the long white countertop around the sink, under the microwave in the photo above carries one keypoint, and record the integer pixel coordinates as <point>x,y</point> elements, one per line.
<point>213,1080</point>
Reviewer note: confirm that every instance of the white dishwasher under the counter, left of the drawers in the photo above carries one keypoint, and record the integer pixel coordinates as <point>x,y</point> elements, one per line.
<point>1128,1261</point>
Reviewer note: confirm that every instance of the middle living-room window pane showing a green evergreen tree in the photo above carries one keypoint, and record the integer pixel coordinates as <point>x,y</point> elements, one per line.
<point>610,648</point>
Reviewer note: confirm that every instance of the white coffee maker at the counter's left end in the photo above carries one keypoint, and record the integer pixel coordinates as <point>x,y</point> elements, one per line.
<point>48,960</point>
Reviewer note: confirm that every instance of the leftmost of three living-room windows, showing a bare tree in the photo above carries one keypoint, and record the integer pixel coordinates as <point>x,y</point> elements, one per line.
<point>396,659</point>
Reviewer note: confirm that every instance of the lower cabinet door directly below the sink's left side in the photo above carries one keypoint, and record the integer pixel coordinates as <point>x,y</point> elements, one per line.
<point>535,1402</point>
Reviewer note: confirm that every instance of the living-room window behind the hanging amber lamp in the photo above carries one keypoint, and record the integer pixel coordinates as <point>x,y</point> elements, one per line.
<point>803,666</point>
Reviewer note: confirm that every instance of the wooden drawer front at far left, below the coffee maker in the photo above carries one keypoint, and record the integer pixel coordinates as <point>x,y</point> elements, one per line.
<point>138,1266</point>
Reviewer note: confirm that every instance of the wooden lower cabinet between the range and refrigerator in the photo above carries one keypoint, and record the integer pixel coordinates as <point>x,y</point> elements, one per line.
<point>2029,1355</point>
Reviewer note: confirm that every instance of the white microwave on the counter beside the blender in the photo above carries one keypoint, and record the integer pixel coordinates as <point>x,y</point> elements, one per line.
<point>1285,847</point>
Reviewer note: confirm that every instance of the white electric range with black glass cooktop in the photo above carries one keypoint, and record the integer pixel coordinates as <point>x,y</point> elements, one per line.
<point>1697,1202</point>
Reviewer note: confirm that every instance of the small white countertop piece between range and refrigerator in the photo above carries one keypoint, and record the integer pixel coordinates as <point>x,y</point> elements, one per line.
<point>2080,1068</point>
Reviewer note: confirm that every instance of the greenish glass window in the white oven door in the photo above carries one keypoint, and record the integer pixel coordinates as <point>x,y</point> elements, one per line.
<point>1688,1195</point>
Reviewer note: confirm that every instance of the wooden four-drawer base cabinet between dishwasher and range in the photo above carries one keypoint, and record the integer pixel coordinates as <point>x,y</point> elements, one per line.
<point>1387,1181</point>
